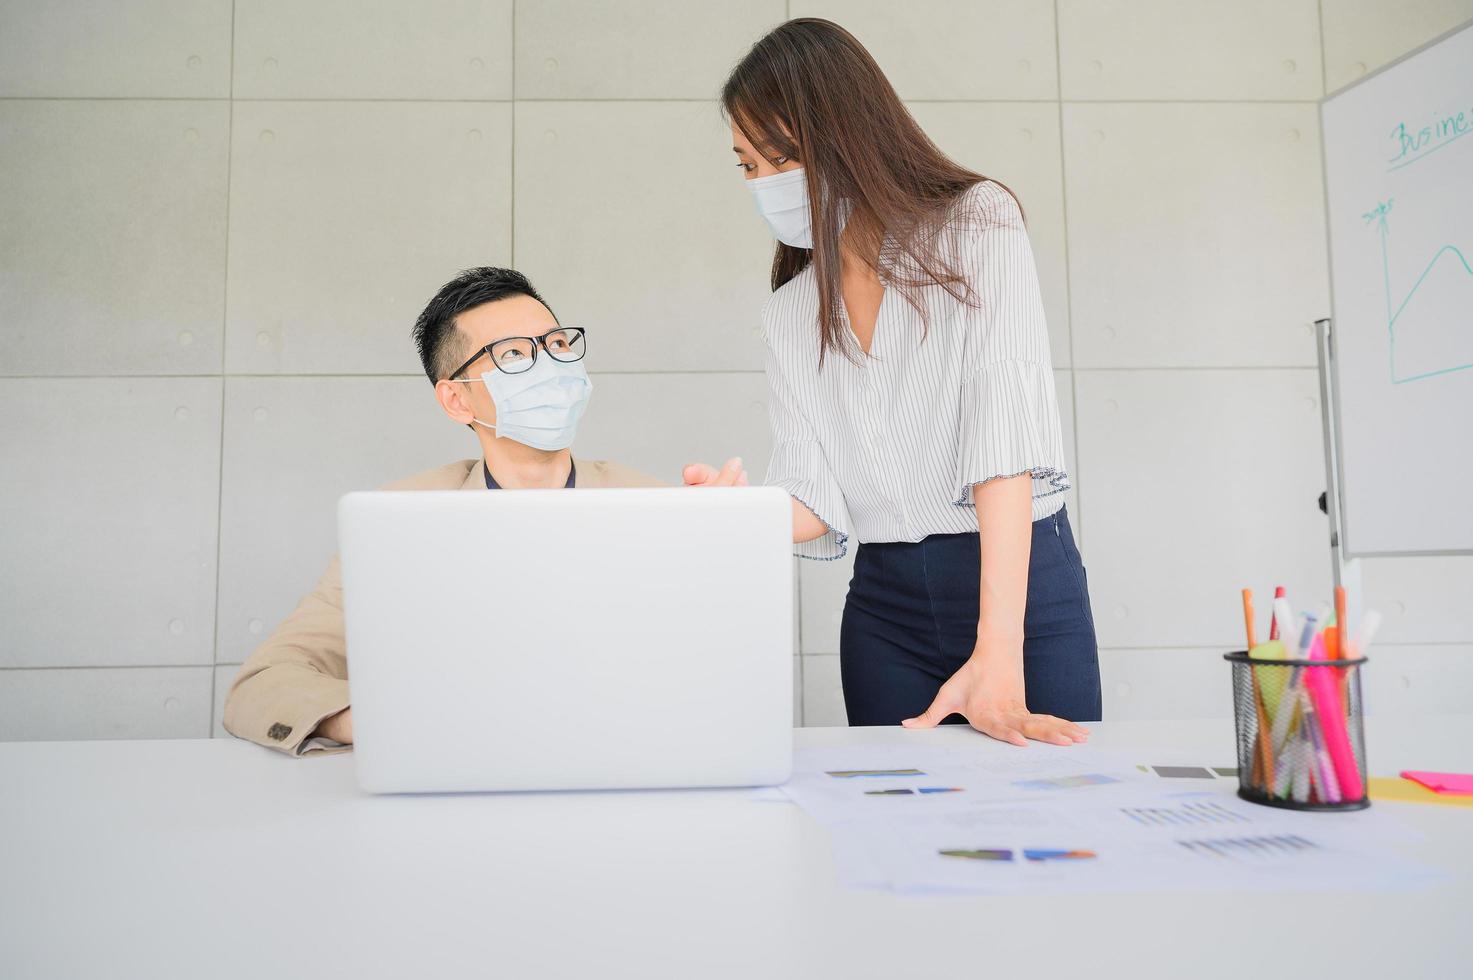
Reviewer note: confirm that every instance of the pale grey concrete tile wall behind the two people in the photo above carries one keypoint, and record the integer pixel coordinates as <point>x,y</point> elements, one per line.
<point>219,220</point>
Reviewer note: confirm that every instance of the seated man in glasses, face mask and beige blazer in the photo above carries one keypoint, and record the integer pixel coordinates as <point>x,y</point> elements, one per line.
<point>502,365</point>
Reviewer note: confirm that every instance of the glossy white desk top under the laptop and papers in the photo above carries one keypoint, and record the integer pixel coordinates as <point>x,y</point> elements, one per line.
<point>217,858</point>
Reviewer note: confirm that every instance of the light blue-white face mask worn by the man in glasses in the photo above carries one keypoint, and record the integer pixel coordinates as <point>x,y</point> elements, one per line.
<point>540,407</point>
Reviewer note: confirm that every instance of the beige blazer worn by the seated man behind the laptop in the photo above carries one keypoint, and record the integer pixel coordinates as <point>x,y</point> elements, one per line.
<point>300,676</point>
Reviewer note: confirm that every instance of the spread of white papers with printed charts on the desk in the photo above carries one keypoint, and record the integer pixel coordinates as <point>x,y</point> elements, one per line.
<point>1001,820</point>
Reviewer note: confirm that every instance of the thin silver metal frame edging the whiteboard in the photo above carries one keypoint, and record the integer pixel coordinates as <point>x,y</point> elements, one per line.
<point>1344,555</point>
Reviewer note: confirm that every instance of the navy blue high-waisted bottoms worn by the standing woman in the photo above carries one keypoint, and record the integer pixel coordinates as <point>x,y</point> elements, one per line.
<point>911,624</point>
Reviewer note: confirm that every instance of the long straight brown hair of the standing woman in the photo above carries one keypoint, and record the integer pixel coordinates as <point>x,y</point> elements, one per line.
<point>811,92</point>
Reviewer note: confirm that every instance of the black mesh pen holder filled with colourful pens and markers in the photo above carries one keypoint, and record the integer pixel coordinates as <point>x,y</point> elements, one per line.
<point>1301,733</point>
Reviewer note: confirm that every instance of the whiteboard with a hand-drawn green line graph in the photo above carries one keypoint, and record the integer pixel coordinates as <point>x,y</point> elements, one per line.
<point>1399,183</point>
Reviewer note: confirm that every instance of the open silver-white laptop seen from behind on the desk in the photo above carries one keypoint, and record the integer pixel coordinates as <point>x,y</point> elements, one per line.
<point>569,640</point>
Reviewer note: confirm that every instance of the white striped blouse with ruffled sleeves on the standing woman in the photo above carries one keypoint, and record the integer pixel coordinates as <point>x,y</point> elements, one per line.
<point>889,449</point>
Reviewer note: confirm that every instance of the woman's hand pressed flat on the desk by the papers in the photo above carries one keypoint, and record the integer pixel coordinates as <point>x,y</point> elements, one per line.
<point>994,702</point>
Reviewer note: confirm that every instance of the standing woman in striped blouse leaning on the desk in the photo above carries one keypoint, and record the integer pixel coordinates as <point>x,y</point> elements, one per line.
<point>913,402</point>
